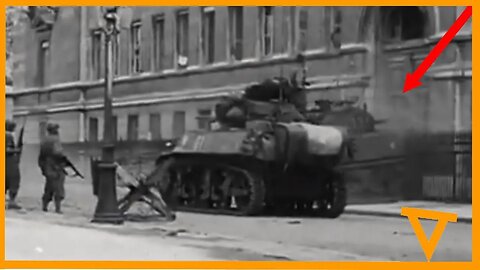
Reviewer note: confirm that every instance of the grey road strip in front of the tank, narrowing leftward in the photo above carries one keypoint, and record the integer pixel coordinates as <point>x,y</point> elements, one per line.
<point>385,238</point>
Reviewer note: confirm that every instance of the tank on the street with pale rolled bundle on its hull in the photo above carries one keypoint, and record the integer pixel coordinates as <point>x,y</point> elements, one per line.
<point>265,153</point>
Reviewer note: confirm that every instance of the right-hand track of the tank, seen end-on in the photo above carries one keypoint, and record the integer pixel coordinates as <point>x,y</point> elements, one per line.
<point>333,205</point>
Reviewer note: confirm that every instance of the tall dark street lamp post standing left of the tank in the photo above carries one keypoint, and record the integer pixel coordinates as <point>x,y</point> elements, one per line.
<point>107,209</point>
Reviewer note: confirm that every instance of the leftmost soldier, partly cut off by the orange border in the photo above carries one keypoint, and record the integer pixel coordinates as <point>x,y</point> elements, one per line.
<point>12,171</point>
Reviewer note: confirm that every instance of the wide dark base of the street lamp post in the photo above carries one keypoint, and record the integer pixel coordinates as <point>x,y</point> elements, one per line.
<point>107,207</point>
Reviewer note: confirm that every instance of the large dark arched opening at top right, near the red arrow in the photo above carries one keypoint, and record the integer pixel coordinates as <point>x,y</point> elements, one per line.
<point>402,23</point>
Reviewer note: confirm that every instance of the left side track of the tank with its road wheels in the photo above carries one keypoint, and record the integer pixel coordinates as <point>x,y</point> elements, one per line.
<point>197,186</point>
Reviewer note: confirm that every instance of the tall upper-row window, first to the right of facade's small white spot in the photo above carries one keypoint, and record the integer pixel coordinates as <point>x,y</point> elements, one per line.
<point>208,35</point>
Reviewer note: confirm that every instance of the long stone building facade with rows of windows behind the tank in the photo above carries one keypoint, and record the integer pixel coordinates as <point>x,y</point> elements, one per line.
<point>173,63</point>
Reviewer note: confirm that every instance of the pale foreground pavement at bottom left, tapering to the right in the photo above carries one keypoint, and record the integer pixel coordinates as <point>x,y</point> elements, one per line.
<point>39,236</point>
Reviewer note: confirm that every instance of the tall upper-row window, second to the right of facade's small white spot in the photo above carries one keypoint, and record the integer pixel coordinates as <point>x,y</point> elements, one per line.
<point>235,15</point>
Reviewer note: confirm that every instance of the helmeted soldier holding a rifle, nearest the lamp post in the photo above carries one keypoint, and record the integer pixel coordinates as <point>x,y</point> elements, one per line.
<point>52,163</point>
